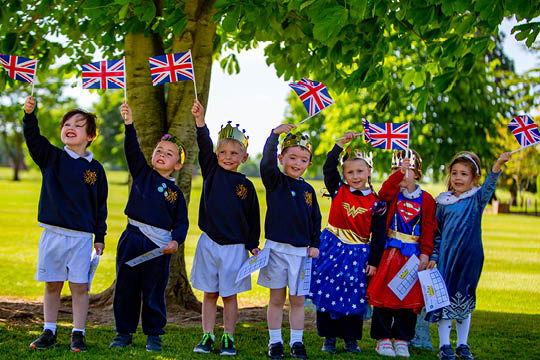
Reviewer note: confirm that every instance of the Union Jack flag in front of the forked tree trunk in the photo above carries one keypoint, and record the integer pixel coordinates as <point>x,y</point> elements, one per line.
<point>171,68</point>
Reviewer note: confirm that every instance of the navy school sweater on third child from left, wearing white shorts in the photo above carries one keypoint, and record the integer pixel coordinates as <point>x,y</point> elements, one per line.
<point>229,210</point>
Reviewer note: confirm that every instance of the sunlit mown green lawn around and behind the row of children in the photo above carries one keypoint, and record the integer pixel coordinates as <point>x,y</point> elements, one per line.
<point>504,326</point>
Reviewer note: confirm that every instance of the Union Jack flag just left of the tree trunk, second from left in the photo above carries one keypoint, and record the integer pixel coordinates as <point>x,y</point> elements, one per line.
<point>104,74</point>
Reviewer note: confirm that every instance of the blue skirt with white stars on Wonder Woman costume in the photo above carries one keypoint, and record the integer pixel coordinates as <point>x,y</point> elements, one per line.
<point>338,282</point>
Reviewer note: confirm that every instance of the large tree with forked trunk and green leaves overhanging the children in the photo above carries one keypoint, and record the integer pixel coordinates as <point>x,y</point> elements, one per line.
<point>346,44</point>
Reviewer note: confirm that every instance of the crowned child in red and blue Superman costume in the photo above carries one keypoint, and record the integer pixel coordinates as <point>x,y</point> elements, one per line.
<point>411,225</point>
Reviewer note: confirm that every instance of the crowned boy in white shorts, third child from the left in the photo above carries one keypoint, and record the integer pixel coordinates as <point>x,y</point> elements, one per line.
<point>229,219</point>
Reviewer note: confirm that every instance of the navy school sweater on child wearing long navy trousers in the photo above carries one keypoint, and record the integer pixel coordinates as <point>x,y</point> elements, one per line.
<point>153,199</point>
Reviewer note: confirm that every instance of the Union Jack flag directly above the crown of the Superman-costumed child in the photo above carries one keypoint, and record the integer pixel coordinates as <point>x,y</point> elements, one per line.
<point>387,135</point>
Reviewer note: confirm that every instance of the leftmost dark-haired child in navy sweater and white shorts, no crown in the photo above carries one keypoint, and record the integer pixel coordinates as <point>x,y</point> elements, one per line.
<point>72,208</point>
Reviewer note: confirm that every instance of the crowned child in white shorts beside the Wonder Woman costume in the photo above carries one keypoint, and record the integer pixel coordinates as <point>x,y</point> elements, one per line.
<point>292,229</point>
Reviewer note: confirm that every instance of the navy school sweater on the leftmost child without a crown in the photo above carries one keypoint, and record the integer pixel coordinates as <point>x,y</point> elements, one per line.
<point>73,191</point>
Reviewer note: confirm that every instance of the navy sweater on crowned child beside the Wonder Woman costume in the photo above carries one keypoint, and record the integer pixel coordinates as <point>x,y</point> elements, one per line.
<point>292,216</point>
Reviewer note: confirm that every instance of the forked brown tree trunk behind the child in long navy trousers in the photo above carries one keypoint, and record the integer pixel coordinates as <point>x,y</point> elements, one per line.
<point>153,118</point>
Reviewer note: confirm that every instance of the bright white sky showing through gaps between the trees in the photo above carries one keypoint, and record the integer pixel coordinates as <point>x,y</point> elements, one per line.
<point>256,98</point>
